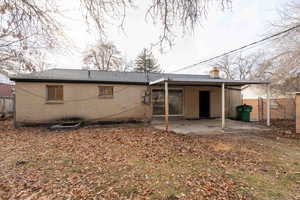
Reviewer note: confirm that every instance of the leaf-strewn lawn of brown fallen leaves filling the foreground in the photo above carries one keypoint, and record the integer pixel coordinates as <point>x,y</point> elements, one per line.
<point>143,163</point>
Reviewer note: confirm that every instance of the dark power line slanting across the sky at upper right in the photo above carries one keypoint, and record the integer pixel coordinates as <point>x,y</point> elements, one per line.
<point>238,49</point>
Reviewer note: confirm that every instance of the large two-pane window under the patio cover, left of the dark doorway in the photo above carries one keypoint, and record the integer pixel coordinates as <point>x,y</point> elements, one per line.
<point>175,102</point>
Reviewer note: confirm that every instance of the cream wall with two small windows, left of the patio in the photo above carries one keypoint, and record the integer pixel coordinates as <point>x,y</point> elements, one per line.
<point>80,100</point>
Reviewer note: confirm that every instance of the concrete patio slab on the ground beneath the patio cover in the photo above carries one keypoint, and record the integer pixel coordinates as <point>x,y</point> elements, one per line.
<point>208,126</point>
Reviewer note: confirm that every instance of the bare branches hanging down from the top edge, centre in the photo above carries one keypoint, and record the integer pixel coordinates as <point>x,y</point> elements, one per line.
<point>170,15</point>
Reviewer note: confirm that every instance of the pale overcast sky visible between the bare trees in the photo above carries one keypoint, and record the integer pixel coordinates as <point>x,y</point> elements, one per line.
<point>220,32</point>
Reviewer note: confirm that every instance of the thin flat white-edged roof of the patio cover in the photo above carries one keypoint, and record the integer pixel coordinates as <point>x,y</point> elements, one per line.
<point>195,81</point>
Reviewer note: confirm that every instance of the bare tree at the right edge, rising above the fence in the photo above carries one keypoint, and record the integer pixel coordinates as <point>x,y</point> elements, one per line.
<point>285,62</point>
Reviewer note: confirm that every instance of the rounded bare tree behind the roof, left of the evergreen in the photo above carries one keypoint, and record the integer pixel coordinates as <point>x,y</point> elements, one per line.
<point>103,56</point>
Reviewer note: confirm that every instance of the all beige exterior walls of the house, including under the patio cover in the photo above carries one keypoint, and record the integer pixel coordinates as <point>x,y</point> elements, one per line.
<point>82,101</point>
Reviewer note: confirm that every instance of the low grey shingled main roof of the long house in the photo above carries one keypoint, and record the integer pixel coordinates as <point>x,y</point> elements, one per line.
<point>93,76</point>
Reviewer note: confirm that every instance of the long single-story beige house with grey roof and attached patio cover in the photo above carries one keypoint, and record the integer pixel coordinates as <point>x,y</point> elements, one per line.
<point>56,94</point>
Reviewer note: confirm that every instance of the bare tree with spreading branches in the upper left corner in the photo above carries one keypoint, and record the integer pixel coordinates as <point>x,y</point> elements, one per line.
<point>26,26</point>
